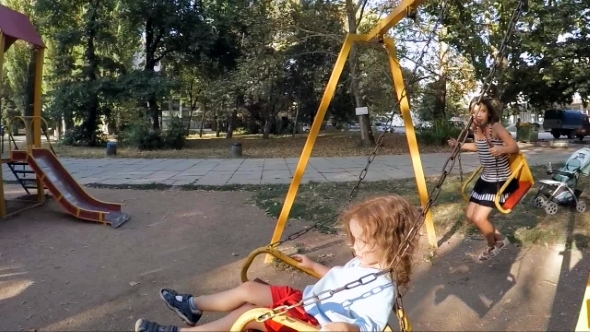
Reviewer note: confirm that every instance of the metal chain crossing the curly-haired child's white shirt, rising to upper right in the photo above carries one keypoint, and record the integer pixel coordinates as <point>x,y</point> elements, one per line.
<point>411,234</point>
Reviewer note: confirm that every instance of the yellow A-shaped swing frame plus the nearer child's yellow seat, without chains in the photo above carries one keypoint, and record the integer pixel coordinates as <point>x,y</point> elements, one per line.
<point>375,35</point>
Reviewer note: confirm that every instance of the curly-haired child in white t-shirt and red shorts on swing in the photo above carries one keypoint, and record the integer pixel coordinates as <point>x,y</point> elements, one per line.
<point>375,230</point>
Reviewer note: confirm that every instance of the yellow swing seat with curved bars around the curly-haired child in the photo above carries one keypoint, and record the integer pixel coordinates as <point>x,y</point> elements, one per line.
<point>297,325</point>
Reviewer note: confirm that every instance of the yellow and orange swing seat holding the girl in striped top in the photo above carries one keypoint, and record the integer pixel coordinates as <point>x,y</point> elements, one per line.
<point>521,171</point>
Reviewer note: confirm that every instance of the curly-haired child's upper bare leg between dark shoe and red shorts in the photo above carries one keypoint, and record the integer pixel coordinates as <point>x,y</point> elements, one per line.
<point>248,292</point>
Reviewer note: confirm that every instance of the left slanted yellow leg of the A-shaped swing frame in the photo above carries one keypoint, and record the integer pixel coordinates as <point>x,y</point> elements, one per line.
<point>312,136</point>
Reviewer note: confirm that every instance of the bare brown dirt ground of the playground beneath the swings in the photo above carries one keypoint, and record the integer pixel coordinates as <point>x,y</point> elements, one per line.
<point>60,274</point>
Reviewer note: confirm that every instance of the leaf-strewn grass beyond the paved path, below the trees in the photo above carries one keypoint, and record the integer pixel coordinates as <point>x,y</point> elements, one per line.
<point>328,144</point>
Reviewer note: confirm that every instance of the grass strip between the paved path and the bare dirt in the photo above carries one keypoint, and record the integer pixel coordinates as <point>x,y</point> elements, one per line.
<point>317,202</point>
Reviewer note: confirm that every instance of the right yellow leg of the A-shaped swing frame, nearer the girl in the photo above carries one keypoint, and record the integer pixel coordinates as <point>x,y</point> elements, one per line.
<point>400,90</point>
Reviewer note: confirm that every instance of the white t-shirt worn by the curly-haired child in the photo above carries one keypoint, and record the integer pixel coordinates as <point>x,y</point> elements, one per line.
<point>368,306</point>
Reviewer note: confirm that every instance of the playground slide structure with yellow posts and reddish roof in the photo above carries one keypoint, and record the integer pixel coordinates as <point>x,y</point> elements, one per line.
<point>31,158</point>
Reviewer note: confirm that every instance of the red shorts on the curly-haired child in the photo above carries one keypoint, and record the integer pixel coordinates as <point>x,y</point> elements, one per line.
<point>285,295</point>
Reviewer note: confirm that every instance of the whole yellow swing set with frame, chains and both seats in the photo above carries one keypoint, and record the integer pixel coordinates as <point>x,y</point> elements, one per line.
<point>518,164</point>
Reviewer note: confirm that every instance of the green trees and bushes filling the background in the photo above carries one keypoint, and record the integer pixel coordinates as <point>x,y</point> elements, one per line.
<point>252,62</point>
